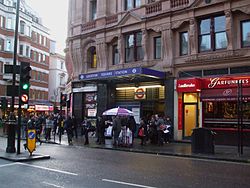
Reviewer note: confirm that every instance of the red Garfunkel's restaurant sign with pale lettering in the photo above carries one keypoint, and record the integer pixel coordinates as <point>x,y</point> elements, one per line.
<point>225,82</point>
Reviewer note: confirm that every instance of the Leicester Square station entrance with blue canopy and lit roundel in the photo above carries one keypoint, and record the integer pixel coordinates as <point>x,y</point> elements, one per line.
<point>141,90</point>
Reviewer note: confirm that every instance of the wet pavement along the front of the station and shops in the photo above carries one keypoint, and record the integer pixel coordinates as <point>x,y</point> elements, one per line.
<point>180,149</point>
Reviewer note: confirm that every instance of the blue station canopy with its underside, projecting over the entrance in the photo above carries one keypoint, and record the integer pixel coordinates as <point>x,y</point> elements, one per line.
<point>130,73</point>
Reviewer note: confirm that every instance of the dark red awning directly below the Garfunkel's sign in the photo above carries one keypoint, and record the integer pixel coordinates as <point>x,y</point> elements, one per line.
<point>229,94</point>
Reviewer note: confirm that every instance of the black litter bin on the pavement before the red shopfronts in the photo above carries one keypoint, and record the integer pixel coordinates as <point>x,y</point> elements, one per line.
<point>202,141</point>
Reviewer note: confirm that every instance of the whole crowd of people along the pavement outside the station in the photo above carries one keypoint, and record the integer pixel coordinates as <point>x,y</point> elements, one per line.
<point>156,129</point>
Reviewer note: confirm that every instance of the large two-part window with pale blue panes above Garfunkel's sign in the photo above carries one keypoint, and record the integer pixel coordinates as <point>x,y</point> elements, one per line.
<point>212,34</point>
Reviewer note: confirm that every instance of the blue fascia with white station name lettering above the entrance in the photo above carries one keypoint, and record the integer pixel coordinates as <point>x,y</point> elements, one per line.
<point>122,72</point>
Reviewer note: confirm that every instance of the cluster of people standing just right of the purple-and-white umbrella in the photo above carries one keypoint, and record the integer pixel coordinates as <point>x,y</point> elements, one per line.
<point>157,129</point>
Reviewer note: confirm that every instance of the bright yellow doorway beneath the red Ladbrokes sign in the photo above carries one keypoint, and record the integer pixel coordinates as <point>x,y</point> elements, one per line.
<point>190,119</point>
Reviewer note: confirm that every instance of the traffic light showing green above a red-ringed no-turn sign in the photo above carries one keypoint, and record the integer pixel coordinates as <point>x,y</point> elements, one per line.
<point>24,82</point>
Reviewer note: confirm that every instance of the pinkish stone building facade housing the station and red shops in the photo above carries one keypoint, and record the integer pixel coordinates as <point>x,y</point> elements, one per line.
<point>184,39</point>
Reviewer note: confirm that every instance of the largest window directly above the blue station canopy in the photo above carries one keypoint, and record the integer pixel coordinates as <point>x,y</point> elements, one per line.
<point>133,48</point>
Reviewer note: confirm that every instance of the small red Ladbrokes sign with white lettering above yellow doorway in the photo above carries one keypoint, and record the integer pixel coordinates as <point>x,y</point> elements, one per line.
<point>189,85</point>
